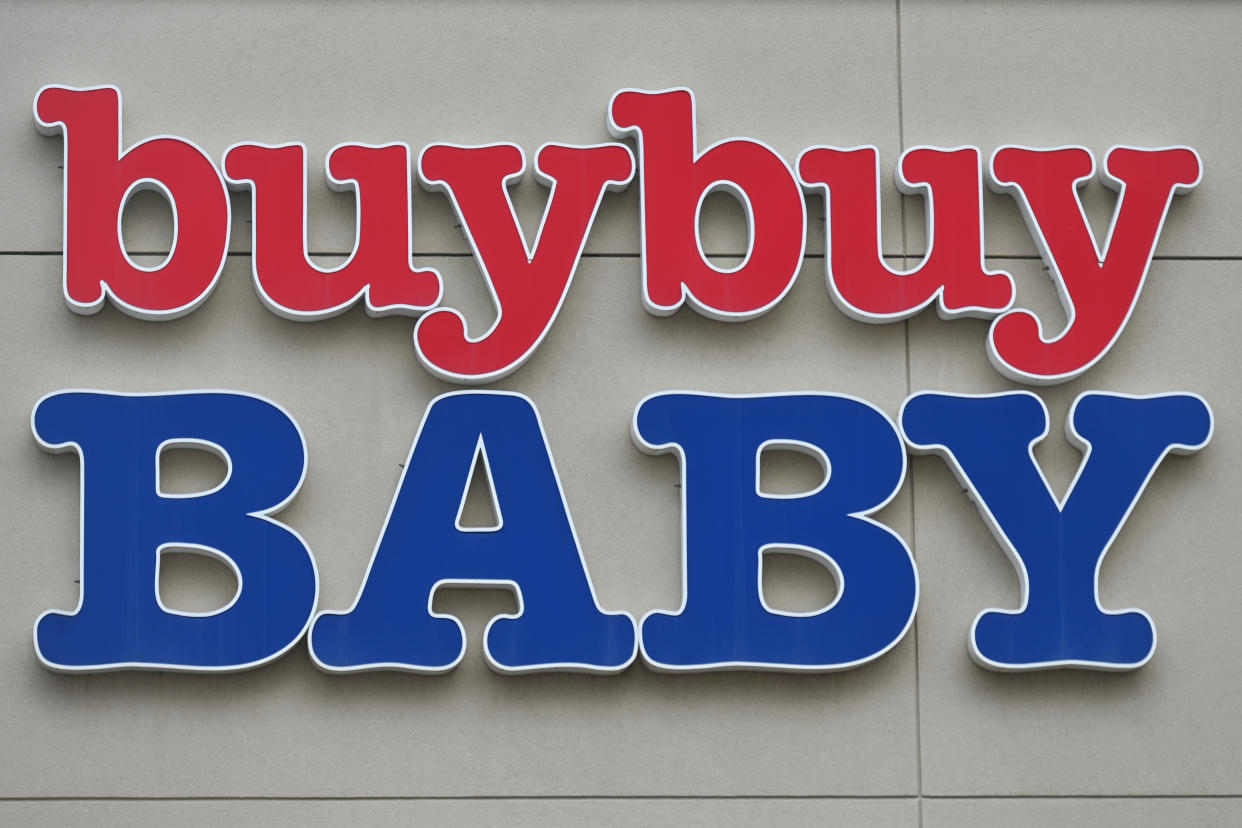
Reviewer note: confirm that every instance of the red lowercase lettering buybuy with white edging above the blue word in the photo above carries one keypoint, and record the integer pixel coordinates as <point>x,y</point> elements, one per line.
<point>1100,287</point>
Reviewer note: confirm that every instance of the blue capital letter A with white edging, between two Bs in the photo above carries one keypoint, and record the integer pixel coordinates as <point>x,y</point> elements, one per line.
<point>535,552</point>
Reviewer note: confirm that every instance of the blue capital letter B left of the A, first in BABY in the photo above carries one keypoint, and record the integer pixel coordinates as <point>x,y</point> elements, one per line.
<point>126,522</point>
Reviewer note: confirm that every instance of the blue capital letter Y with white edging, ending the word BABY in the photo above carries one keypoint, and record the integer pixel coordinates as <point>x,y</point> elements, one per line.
<point>1058,547</point>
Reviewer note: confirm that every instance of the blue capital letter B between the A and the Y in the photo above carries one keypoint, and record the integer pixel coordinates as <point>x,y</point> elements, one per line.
<point>728,523</point>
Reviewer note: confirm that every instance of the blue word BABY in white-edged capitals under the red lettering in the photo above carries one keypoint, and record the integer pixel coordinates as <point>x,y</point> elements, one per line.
<point>728,524</point>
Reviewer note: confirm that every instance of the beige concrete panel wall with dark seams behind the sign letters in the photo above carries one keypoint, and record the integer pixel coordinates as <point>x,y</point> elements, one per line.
<point>922,737</point>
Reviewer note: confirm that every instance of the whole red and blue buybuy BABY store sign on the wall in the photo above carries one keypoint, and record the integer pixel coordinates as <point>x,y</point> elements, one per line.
<point>728,521</point>
